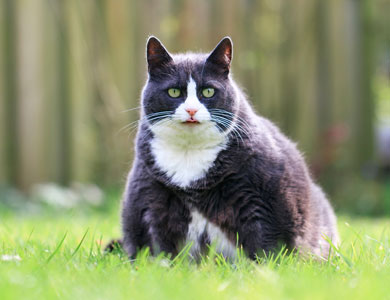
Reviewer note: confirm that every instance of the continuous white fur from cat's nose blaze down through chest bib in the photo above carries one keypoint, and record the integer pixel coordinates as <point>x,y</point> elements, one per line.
<point>185,152</point>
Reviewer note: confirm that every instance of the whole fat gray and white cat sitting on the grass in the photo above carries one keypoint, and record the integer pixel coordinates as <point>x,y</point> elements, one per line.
<point>208,170</point>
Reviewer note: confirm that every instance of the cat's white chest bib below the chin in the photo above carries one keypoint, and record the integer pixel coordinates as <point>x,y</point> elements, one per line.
<point>182,164</point>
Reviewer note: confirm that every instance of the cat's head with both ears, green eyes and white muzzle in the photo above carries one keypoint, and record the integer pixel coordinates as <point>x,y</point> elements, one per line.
<point>189,93</point>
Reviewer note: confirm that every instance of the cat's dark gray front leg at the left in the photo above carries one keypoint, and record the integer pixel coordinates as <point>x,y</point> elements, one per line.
<point>152,216</point>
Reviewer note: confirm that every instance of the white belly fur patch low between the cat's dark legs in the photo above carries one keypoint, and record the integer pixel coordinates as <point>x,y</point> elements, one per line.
<point>198,226</point>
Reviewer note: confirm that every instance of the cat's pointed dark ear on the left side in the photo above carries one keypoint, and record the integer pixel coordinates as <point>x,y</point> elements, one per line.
<point>156,55</point>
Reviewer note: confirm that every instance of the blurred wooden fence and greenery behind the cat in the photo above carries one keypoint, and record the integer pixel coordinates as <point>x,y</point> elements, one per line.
<point>71,70</point>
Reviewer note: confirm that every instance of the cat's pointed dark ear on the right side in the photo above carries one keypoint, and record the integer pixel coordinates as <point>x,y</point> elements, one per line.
<point>221,57</point>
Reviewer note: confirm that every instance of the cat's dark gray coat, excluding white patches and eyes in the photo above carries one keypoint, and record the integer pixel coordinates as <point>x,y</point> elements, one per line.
<point>258,188</point>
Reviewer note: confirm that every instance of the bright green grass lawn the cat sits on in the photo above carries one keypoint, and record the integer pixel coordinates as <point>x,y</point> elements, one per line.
<point>58,254</point>
